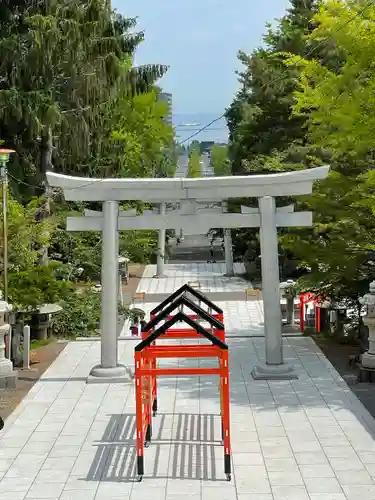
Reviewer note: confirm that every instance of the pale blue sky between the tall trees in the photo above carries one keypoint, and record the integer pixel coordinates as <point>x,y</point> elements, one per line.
<point>199,40</point>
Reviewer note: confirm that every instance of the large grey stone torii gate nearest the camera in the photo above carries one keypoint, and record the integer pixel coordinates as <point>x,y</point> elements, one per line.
<point>189,192</point>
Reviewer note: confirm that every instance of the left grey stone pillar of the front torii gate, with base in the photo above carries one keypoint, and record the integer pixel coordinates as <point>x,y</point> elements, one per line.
<point>109,369</point>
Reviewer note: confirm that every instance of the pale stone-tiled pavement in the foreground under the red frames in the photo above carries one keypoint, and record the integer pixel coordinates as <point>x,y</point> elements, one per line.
<point>308,439</point>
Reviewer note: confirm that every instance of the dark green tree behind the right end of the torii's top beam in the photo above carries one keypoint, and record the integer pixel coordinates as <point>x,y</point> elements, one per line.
<point>260,118</point>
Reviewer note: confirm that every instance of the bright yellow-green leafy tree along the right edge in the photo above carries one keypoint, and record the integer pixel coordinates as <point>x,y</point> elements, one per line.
<point>336,106</point>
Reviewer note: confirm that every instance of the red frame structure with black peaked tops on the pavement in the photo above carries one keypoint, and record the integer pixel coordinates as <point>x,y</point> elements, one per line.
<point>146,371</point>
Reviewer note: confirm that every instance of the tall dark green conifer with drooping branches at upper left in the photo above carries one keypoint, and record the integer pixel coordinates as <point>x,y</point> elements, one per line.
<point>64,67</point>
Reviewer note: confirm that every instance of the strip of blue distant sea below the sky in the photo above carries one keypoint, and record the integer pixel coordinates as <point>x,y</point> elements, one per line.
<point>188,124</point>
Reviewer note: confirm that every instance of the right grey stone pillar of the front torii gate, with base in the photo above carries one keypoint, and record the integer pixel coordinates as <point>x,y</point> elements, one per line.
<point>275,368</point>
